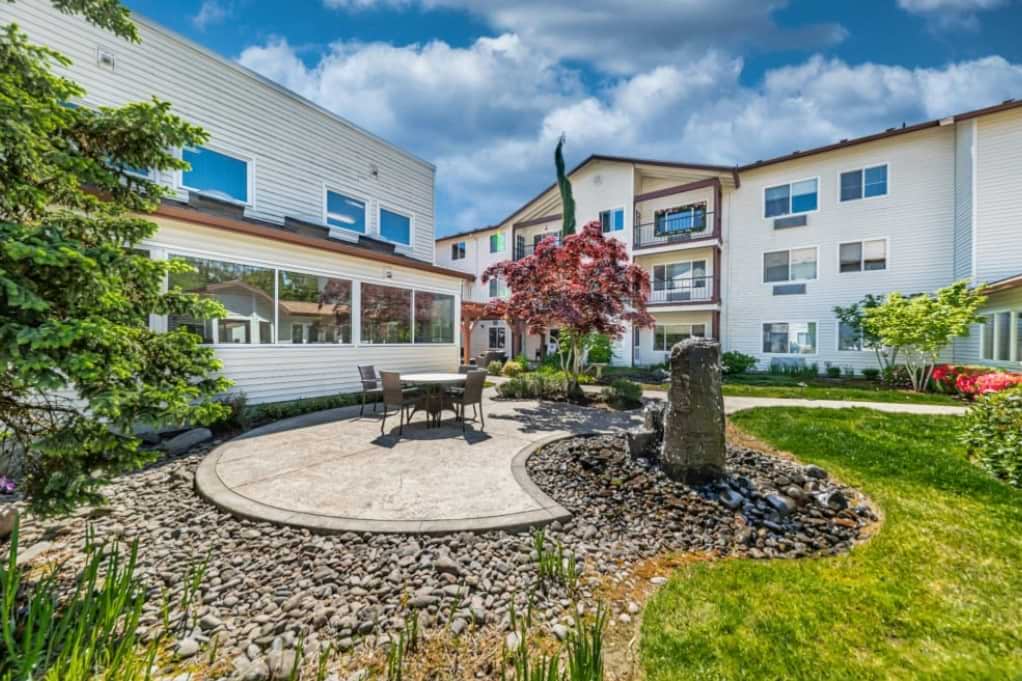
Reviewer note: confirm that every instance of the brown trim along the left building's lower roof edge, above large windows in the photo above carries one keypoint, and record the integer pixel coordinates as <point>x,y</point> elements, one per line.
<point>266,233</point>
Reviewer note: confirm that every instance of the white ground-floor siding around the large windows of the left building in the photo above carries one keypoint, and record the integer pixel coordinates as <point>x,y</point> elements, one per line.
<point>271,374</point>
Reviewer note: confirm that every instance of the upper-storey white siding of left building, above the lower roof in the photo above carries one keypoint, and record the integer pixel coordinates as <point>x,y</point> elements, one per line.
<point>297,148</point>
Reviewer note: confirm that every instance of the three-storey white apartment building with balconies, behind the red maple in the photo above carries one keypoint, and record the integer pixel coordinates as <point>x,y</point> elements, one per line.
<point>758,256</point>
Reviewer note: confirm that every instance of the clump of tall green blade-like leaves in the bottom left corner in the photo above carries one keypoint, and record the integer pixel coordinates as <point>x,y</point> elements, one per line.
<point>89,634</point>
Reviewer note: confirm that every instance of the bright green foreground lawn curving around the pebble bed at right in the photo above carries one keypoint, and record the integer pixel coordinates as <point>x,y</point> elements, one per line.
<point>937,594</point>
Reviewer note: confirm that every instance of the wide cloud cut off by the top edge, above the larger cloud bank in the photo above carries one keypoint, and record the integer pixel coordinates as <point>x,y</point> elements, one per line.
<point>625,38</point>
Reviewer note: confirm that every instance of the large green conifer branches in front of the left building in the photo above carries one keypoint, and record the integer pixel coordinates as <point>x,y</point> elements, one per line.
<point>80,367</point>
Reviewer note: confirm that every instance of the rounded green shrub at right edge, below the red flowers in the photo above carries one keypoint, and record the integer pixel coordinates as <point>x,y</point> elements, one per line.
<point>993,433</point>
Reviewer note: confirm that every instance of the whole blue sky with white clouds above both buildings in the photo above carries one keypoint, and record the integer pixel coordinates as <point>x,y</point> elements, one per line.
<point>483,88</point>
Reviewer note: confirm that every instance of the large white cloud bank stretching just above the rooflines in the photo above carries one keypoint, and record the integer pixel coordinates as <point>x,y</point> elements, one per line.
<point>489,115</point>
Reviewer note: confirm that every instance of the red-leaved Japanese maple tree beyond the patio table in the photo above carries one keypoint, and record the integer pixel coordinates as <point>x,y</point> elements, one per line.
<point>585,285</point>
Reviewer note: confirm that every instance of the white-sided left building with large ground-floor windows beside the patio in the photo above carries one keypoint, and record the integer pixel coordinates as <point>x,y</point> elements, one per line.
<point>315,235</point>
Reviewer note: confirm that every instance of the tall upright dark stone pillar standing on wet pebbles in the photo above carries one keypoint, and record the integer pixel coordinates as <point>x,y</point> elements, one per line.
<point>693,449</point>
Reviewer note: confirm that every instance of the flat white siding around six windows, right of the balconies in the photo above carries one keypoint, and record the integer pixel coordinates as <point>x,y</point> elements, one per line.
<point>917,217</point>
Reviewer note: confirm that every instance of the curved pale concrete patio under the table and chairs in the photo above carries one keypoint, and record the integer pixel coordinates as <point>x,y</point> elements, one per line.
<point>333,472</point>
